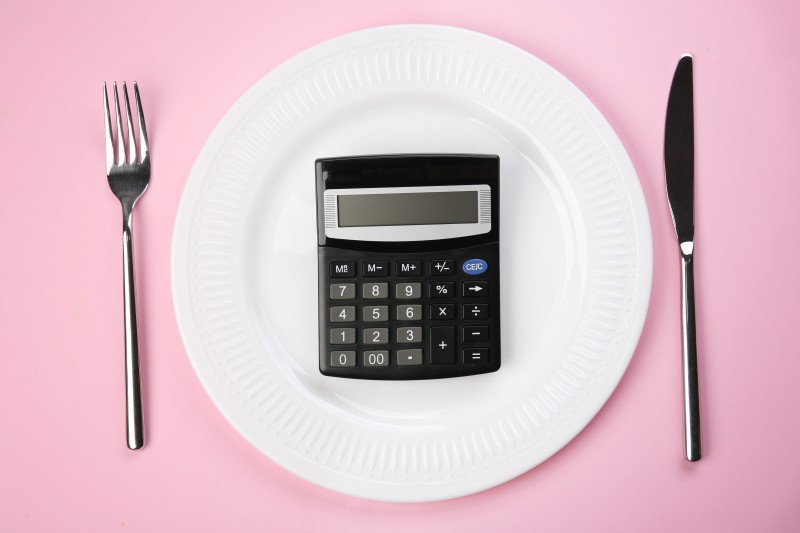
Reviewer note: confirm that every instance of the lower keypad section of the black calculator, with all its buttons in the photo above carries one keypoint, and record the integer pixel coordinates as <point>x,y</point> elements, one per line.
<point>420,317</point>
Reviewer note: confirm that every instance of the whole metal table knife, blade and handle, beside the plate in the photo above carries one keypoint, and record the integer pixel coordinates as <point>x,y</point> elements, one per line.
<point>679,172</point>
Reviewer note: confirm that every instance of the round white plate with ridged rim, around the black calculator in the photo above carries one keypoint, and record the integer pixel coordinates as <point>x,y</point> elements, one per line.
<point>576,262</point>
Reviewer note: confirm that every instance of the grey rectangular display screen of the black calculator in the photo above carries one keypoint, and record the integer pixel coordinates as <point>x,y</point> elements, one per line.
<point>401,209</point>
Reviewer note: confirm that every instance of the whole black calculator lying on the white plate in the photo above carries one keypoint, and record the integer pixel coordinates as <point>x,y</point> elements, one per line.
<point>409,266</point>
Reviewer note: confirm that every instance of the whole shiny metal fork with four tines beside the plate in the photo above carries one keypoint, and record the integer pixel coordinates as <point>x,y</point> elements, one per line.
<point>128,176</point>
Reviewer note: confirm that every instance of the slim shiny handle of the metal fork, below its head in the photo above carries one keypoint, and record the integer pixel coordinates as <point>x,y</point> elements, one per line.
<point>133,392</point>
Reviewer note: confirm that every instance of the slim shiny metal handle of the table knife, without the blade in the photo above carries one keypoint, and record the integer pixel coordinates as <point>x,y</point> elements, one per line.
<point>691,396</point>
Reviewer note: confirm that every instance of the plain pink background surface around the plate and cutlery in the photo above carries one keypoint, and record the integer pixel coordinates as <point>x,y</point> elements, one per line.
<point>63,461</point>
